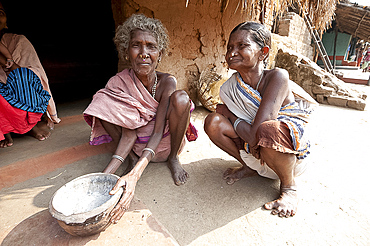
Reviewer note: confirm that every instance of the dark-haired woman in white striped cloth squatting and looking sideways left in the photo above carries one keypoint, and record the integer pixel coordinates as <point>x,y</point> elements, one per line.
<point>261,123</point>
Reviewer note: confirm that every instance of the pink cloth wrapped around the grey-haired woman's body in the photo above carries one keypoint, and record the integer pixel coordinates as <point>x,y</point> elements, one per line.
<point>126,102</point>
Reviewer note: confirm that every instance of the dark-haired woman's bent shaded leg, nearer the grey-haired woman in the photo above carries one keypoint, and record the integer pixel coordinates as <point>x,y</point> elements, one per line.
<point>222,134</point>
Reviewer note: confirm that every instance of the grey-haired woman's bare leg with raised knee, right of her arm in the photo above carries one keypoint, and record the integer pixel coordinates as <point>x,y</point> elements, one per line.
<point>179,116</point>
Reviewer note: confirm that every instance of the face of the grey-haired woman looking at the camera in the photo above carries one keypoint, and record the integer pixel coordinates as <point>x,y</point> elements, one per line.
<point>143,52</point>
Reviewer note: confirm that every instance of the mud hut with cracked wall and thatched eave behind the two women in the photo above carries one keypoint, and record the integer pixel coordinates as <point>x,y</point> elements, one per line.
<point>199,31</point>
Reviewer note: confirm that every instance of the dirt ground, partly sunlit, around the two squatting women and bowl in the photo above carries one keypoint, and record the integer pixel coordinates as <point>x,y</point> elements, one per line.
<point>333,191</point>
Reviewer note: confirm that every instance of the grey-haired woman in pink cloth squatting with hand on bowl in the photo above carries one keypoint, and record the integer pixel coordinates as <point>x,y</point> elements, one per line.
<point>140,109</point>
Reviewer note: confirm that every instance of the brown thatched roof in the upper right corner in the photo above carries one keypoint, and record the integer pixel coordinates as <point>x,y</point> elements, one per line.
<point>353,19</point>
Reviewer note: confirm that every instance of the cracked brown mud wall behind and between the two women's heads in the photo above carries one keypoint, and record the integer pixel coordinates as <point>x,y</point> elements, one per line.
<point>198,33</point>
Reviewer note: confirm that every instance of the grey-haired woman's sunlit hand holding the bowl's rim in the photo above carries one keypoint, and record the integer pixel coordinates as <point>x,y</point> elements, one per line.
<point>128,182</point>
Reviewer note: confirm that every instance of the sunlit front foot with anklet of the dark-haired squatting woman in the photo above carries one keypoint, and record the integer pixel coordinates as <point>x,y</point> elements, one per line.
<point>287,204</point>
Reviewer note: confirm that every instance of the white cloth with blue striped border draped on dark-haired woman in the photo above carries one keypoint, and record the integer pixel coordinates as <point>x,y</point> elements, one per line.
<point>243,101</point>
